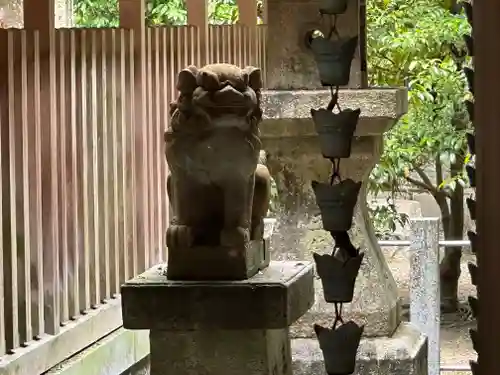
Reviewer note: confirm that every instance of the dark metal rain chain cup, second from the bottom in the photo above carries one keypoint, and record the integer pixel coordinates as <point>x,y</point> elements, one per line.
<point>338,276</point>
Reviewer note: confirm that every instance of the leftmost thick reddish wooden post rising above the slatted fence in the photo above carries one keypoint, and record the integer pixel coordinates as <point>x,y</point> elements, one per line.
<point>40,15</point>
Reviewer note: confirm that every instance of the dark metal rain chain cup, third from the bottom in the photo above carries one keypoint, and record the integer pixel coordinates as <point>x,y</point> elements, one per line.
<point>336,203</point>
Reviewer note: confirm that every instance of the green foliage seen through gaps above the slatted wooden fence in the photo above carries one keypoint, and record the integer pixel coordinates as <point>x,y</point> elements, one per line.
<point>104,13</point>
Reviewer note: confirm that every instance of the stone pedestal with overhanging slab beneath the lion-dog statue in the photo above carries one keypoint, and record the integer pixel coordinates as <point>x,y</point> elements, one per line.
<point>220,327</point>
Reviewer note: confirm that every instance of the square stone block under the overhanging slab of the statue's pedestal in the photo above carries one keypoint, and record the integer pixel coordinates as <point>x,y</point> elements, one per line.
<point>221,352</point>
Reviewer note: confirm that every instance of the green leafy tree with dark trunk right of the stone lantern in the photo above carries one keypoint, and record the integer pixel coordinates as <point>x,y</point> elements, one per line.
<point>409,44</point>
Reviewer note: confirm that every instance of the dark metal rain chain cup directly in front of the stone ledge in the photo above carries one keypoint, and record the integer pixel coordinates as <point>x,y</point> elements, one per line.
<point>335,131</point>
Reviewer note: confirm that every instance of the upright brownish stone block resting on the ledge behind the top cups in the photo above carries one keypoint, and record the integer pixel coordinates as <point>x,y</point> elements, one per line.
<point>290,63</point>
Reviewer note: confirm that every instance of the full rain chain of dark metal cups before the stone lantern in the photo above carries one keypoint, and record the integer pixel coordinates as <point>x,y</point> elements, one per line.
<point>336,198</point>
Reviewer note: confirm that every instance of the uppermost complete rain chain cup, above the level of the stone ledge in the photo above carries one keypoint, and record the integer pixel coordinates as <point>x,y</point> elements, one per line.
<point>333,58</point>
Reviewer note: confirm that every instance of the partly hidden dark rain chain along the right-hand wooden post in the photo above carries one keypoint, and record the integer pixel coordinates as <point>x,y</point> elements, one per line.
<point>471,173</point>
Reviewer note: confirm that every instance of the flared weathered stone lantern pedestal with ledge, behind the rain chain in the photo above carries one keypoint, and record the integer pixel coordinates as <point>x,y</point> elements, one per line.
<point>294,159</point>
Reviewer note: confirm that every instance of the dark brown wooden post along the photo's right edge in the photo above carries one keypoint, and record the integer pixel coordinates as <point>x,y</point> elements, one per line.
<point>487,114</point>
